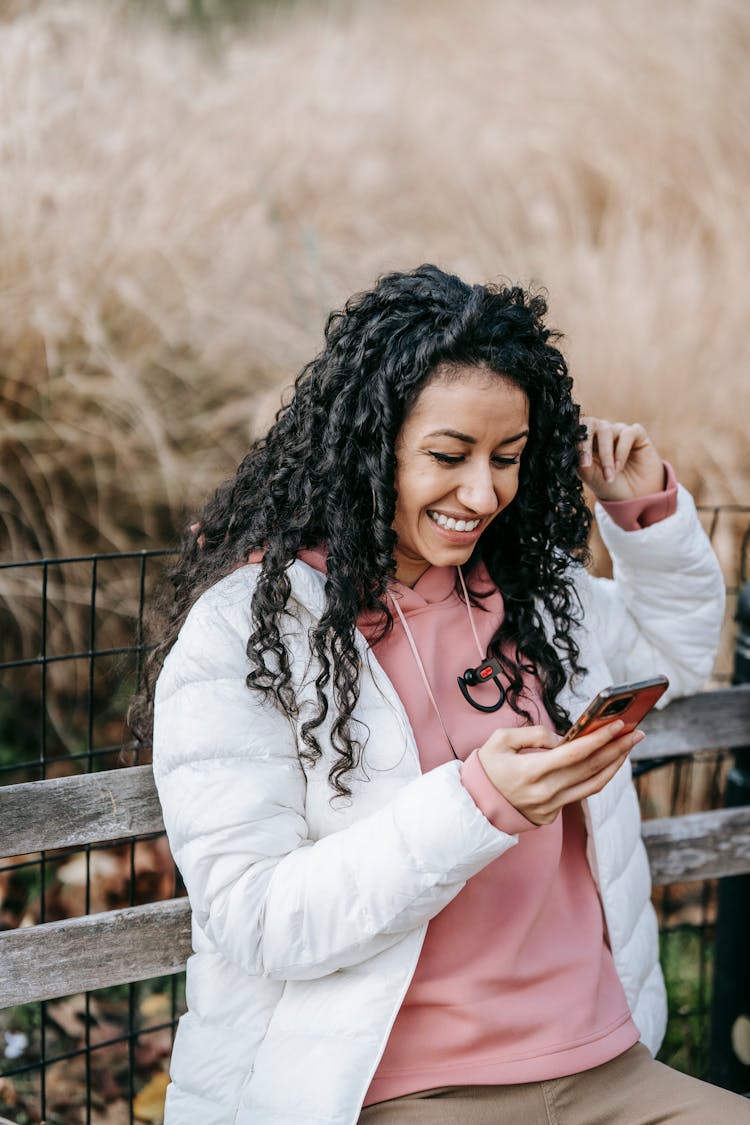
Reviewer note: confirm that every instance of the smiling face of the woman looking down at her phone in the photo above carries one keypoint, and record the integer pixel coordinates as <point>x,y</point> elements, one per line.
<point>458,462</point>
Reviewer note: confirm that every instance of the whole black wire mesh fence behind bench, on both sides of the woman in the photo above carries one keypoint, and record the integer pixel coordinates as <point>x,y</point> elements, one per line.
<point>71,656</point>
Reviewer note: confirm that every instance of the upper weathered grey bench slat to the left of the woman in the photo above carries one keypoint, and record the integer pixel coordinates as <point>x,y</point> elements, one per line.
<point>84,809</point>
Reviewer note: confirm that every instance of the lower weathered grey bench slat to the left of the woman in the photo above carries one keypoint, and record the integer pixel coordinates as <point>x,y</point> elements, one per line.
<point>115,948</point>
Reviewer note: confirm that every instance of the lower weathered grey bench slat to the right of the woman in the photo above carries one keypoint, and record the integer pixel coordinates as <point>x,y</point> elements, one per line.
<point>702,845</point>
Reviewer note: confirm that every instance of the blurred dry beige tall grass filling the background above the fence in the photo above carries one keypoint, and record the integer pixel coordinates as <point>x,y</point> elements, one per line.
<point>176,222</point>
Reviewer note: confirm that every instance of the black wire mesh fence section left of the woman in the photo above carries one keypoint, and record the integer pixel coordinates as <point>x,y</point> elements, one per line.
<point>101,1057</point>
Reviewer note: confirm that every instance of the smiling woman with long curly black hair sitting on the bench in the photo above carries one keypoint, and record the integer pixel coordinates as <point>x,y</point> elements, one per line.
<point>410,904</point>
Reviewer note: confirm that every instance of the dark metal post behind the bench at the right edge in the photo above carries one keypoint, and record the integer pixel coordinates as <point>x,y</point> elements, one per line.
<point>730,1024</point>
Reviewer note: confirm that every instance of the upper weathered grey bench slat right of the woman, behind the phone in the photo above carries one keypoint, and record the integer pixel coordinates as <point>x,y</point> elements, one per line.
<point>707,722</point>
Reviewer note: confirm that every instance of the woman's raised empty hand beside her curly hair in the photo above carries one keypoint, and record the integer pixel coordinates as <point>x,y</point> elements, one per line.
<point>619,462</point>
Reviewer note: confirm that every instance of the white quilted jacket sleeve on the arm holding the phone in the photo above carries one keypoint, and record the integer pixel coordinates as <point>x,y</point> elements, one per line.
<point>233,795</point>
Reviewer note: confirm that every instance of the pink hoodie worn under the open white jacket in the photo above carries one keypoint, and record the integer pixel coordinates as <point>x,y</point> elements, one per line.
<point>516,980</point>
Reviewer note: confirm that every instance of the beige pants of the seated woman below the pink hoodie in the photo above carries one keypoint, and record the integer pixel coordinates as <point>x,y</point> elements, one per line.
<point>630,1091</point>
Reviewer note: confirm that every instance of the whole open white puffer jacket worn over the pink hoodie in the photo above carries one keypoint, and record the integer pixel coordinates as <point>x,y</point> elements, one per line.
<point>309,919</point>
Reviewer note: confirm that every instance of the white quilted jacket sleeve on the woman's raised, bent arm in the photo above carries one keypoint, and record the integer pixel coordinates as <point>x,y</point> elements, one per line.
<point>663,610</point>
